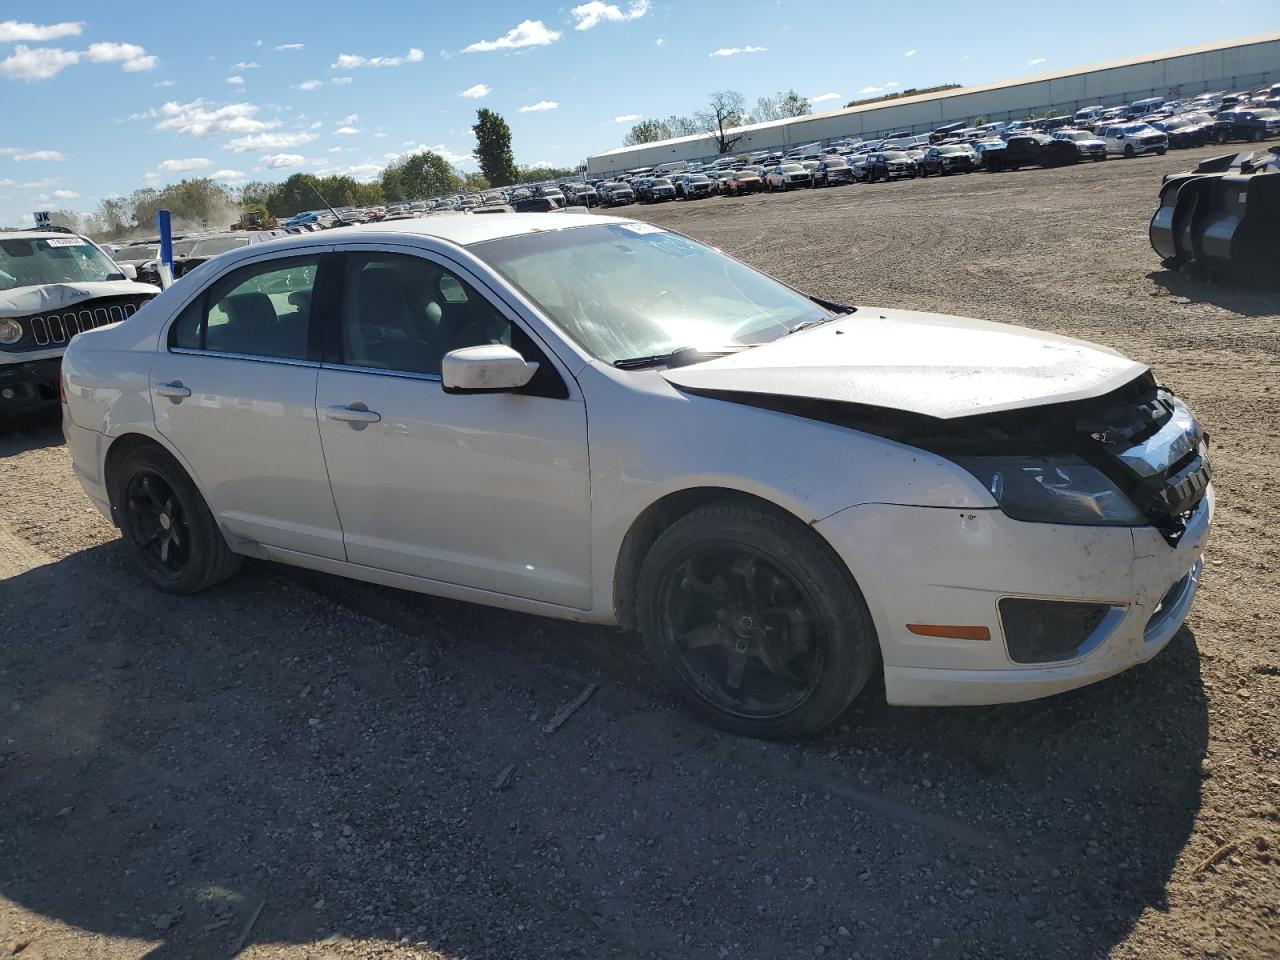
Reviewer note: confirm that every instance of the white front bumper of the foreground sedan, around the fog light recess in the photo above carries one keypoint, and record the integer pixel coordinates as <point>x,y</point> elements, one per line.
<point>952,566</point>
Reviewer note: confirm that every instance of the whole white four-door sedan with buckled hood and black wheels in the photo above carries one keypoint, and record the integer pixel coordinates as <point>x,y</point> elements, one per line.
<point>602,420</point>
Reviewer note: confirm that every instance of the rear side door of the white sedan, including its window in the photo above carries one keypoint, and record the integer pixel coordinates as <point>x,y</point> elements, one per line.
<point>234,390</point>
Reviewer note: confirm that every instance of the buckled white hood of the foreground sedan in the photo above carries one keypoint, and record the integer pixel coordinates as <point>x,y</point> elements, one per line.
<point>929,364</point>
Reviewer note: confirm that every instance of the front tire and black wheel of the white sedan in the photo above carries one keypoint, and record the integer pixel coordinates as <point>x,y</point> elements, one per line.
<point>824,646</point>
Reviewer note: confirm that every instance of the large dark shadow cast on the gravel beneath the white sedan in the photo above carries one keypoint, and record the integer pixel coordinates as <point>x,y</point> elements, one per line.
<point>170,765</point>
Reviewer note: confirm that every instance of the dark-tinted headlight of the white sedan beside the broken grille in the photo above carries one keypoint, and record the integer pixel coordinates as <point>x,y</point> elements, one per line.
<point>1054,491</point>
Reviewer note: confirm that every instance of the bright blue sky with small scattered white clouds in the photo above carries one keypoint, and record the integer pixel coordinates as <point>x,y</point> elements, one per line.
<point>102,99</point>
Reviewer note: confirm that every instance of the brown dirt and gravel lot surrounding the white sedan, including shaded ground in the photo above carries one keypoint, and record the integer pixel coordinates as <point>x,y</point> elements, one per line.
<point>328,753</point>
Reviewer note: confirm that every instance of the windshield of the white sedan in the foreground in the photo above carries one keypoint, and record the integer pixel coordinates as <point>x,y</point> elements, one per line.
<point>634,290</point>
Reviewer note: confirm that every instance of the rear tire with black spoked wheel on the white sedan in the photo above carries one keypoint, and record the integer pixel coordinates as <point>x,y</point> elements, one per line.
<point>184,552</point>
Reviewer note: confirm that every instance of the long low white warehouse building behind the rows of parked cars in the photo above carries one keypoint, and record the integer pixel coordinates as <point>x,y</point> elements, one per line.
<point>1226,66</point>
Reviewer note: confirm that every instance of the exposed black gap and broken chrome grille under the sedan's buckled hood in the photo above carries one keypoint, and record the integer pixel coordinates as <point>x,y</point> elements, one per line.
<point>1140,436</point>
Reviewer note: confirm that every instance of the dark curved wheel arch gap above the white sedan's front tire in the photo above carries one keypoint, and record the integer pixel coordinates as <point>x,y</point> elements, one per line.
<point>660,515</point>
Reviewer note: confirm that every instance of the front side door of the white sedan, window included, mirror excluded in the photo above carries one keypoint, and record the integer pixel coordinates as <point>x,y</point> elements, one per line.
<point>487,491</point>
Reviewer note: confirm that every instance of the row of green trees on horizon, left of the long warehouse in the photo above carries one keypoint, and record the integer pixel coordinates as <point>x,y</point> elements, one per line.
<point>200,203</point>
